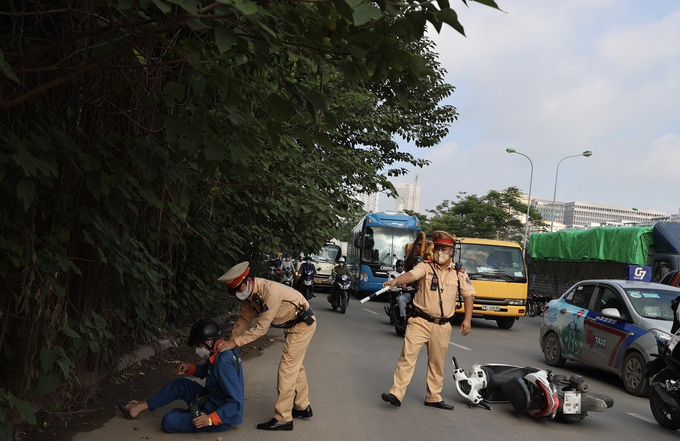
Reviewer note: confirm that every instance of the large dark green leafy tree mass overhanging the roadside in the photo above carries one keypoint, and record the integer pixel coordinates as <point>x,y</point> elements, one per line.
<point>146,146</point>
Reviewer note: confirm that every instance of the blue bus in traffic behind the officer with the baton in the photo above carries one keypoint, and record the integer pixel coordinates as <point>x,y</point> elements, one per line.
<point>378,240</point>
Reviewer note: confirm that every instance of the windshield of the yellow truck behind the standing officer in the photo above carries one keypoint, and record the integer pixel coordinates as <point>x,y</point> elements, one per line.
<point>492,259</point>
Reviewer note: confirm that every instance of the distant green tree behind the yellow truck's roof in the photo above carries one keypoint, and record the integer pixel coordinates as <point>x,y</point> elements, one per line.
<point>495,215</point>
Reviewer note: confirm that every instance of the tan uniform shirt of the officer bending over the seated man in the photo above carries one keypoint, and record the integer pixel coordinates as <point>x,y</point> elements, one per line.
<point>272,310</point>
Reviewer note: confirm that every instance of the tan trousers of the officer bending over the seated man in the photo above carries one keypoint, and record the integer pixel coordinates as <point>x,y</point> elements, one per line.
<point>292,381</point>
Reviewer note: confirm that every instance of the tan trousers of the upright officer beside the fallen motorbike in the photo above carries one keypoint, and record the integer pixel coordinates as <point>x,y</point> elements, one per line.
<point>420,332</point>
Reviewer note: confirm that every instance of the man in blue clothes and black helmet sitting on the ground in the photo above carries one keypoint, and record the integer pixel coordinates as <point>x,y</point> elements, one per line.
<point>214,407</point>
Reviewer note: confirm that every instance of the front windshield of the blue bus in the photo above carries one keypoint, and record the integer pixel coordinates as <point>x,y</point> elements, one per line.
<point>385,245</point>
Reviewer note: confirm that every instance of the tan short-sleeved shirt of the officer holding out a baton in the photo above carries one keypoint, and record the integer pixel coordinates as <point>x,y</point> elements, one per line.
<point>427,300</point>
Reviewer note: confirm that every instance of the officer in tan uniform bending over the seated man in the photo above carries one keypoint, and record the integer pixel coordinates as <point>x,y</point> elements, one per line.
<point>280,306</point>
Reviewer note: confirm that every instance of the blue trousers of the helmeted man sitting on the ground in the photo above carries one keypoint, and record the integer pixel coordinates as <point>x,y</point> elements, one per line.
<point>180,389</point>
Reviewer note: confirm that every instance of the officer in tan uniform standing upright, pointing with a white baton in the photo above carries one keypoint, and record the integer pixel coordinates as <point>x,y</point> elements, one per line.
<point>434,306</point>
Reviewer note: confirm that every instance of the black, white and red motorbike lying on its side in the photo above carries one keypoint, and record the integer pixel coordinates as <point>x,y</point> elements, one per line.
<point>529,389</point>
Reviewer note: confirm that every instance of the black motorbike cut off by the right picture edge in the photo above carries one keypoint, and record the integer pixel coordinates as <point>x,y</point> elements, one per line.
<point>664,397</point>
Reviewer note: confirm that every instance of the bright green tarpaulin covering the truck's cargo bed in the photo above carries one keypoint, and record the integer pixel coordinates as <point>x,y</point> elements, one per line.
<point>615,244</point>
